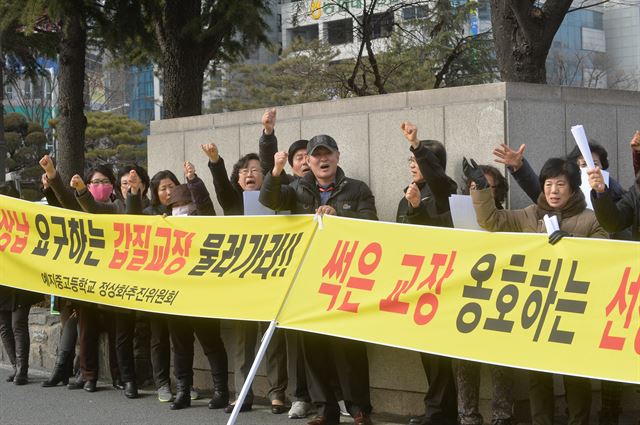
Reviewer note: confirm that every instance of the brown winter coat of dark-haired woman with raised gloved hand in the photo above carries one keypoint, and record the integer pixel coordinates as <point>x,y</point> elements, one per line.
<point>574,218</point>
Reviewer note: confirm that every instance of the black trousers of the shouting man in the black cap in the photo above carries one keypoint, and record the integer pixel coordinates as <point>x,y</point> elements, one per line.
<point>331,360</point>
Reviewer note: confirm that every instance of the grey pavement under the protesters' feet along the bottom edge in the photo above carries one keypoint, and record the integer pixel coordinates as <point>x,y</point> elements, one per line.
<point>32,404</point>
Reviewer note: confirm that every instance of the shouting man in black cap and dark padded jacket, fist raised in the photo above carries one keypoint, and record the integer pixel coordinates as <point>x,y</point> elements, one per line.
<point>326,190</point>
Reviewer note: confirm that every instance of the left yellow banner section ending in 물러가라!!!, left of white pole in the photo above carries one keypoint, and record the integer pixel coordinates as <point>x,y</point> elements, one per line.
<point>227,267</point>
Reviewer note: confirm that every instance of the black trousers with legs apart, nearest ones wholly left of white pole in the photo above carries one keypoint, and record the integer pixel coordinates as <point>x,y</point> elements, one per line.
<point>182,330</point>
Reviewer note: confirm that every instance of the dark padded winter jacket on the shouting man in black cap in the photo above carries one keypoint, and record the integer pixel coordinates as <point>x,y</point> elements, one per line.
<point>350,198</point>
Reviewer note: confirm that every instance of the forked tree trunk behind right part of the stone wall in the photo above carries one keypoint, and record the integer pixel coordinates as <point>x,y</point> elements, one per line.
<point>520,58</point>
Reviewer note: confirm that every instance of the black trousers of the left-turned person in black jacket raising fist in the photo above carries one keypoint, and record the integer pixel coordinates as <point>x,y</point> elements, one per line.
<point>441,406</point>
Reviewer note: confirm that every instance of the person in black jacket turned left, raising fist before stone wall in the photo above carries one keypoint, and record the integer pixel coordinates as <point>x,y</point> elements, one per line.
<point>426,202</point>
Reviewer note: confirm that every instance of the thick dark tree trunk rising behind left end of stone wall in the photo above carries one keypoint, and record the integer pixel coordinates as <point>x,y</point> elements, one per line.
<point>183,77</point>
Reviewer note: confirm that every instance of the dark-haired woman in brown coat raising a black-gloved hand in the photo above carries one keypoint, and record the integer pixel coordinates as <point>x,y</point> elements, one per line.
<point>562,197</point>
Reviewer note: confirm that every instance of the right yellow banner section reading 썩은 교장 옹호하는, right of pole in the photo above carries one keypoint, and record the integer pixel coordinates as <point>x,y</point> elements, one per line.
<point>502,298</point>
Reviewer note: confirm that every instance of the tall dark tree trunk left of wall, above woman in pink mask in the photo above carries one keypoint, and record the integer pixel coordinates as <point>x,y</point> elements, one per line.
<point>72,124</point>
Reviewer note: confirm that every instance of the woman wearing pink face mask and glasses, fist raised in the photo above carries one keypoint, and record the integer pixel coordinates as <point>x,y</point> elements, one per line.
<point>98,197</point>
